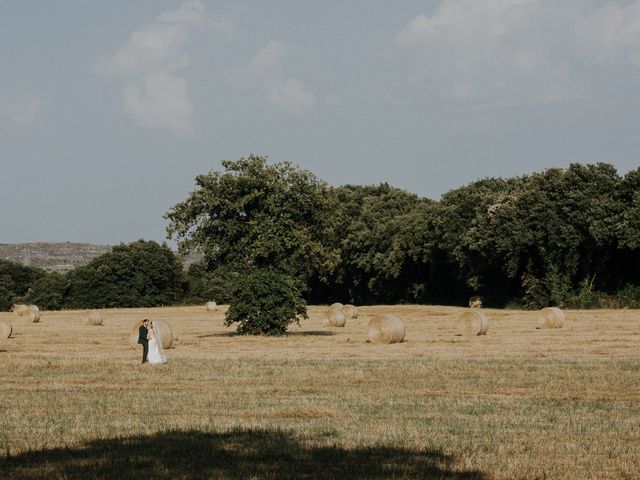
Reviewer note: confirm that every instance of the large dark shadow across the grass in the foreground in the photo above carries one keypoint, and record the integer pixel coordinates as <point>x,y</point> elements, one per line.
<point>256,454</point>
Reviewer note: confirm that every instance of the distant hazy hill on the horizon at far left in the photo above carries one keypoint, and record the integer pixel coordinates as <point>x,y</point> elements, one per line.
<point>58,257</point>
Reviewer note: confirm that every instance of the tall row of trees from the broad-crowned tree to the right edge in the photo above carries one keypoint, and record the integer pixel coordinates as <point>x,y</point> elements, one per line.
<point>550,238</point>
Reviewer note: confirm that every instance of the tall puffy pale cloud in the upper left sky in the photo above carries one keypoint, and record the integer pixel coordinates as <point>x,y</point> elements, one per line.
<point>154,93</point>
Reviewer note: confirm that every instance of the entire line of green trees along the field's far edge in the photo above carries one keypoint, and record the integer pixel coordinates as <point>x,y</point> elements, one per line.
<point>564,236</point>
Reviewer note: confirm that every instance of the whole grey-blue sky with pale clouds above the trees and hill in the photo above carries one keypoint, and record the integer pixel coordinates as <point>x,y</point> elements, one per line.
<point>109,110</point>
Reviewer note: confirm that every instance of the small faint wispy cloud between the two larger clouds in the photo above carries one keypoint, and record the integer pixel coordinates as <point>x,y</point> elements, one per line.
<point>265,71</point>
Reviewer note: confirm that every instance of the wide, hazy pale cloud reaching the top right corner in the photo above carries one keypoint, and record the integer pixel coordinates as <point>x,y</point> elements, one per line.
<point>498,53</point>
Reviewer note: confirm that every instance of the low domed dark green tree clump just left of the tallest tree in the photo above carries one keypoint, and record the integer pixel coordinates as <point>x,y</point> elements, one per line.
<point>139,274</point>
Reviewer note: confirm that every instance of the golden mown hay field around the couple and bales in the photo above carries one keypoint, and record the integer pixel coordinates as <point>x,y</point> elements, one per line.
<point>322,403</point>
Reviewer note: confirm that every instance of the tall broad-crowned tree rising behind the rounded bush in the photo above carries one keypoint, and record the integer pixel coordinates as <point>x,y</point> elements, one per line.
<point>257,216</point>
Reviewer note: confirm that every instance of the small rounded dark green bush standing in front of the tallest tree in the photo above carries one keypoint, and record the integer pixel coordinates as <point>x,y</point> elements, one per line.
<point>265,301</point>
